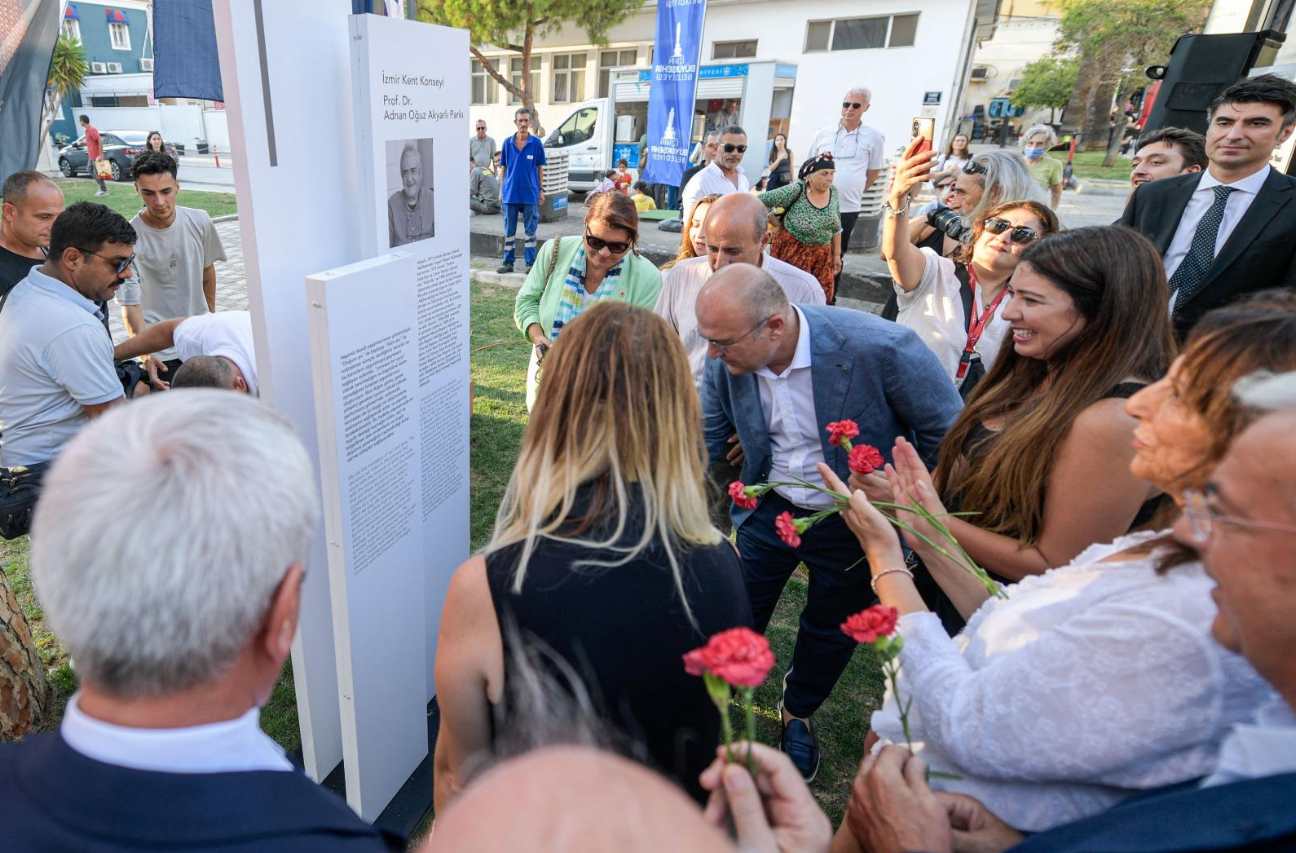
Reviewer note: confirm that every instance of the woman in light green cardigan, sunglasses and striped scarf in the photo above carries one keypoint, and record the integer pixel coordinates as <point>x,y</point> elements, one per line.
<point>570,275</point>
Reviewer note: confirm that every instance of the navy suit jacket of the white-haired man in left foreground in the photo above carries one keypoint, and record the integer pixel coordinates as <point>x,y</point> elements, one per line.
<point>64,802</point>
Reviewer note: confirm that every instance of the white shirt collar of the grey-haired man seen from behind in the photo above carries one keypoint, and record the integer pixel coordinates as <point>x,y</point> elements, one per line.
<point>234,746</point>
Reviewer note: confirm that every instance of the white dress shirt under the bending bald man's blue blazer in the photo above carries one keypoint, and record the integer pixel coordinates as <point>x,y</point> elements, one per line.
<point>795,444</point>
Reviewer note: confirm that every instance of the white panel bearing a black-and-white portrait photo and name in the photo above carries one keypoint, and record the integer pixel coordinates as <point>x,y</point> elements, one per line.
<point>413,93</point>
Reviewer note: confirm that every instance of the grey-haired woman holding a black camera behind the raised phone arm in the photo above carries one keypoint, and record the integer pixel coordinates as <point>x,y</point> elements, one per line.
<point>979,185</point>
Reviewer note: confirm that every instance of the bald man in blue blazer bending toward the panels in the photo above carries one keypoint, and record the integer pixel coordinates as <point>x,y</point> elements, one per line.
<point>778,377</point>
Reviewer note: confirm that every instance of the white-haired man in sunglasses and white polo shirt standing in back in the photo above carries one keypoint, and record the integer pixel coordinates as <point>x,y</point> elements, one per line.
<point>859,154</point>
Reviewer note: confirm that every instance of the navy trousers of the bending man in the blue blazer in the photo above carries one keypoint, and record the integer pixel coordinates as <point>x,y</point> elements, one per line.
<point>839,588</point>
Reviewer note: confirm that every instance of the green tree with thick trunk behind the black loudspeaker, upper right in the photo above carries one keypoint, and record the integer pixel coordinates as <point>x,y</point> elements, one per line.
<point>1123,38</point>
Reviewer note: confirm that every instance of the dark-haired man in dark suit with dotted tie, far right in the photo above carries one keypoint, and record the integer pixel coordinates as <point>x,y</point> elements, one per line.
<point>1232,229</point>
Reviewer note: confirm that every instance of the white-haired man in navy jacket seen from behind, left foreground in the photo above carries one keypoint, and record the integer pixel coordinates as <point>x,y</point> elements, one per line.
<point>179,632</point>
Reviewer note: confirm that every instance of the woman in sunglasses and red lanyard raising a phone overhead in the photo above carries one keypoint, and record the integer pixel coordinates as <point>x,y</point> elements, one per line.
<point>957,304</point>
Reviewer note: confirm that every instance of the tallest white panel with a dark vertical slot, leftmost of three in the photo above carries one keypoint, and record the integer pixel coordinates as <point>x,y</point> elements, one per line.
<point>288,99</point>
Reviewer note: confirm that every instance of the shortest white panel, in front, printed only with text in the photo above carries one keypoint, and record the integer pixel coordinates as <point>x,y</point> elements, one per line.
<point>366,370</point>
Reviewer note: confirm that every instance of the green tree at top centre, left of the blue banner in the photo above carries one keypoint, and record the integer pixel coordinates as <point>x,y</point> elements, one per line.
<point>516,24</point>
